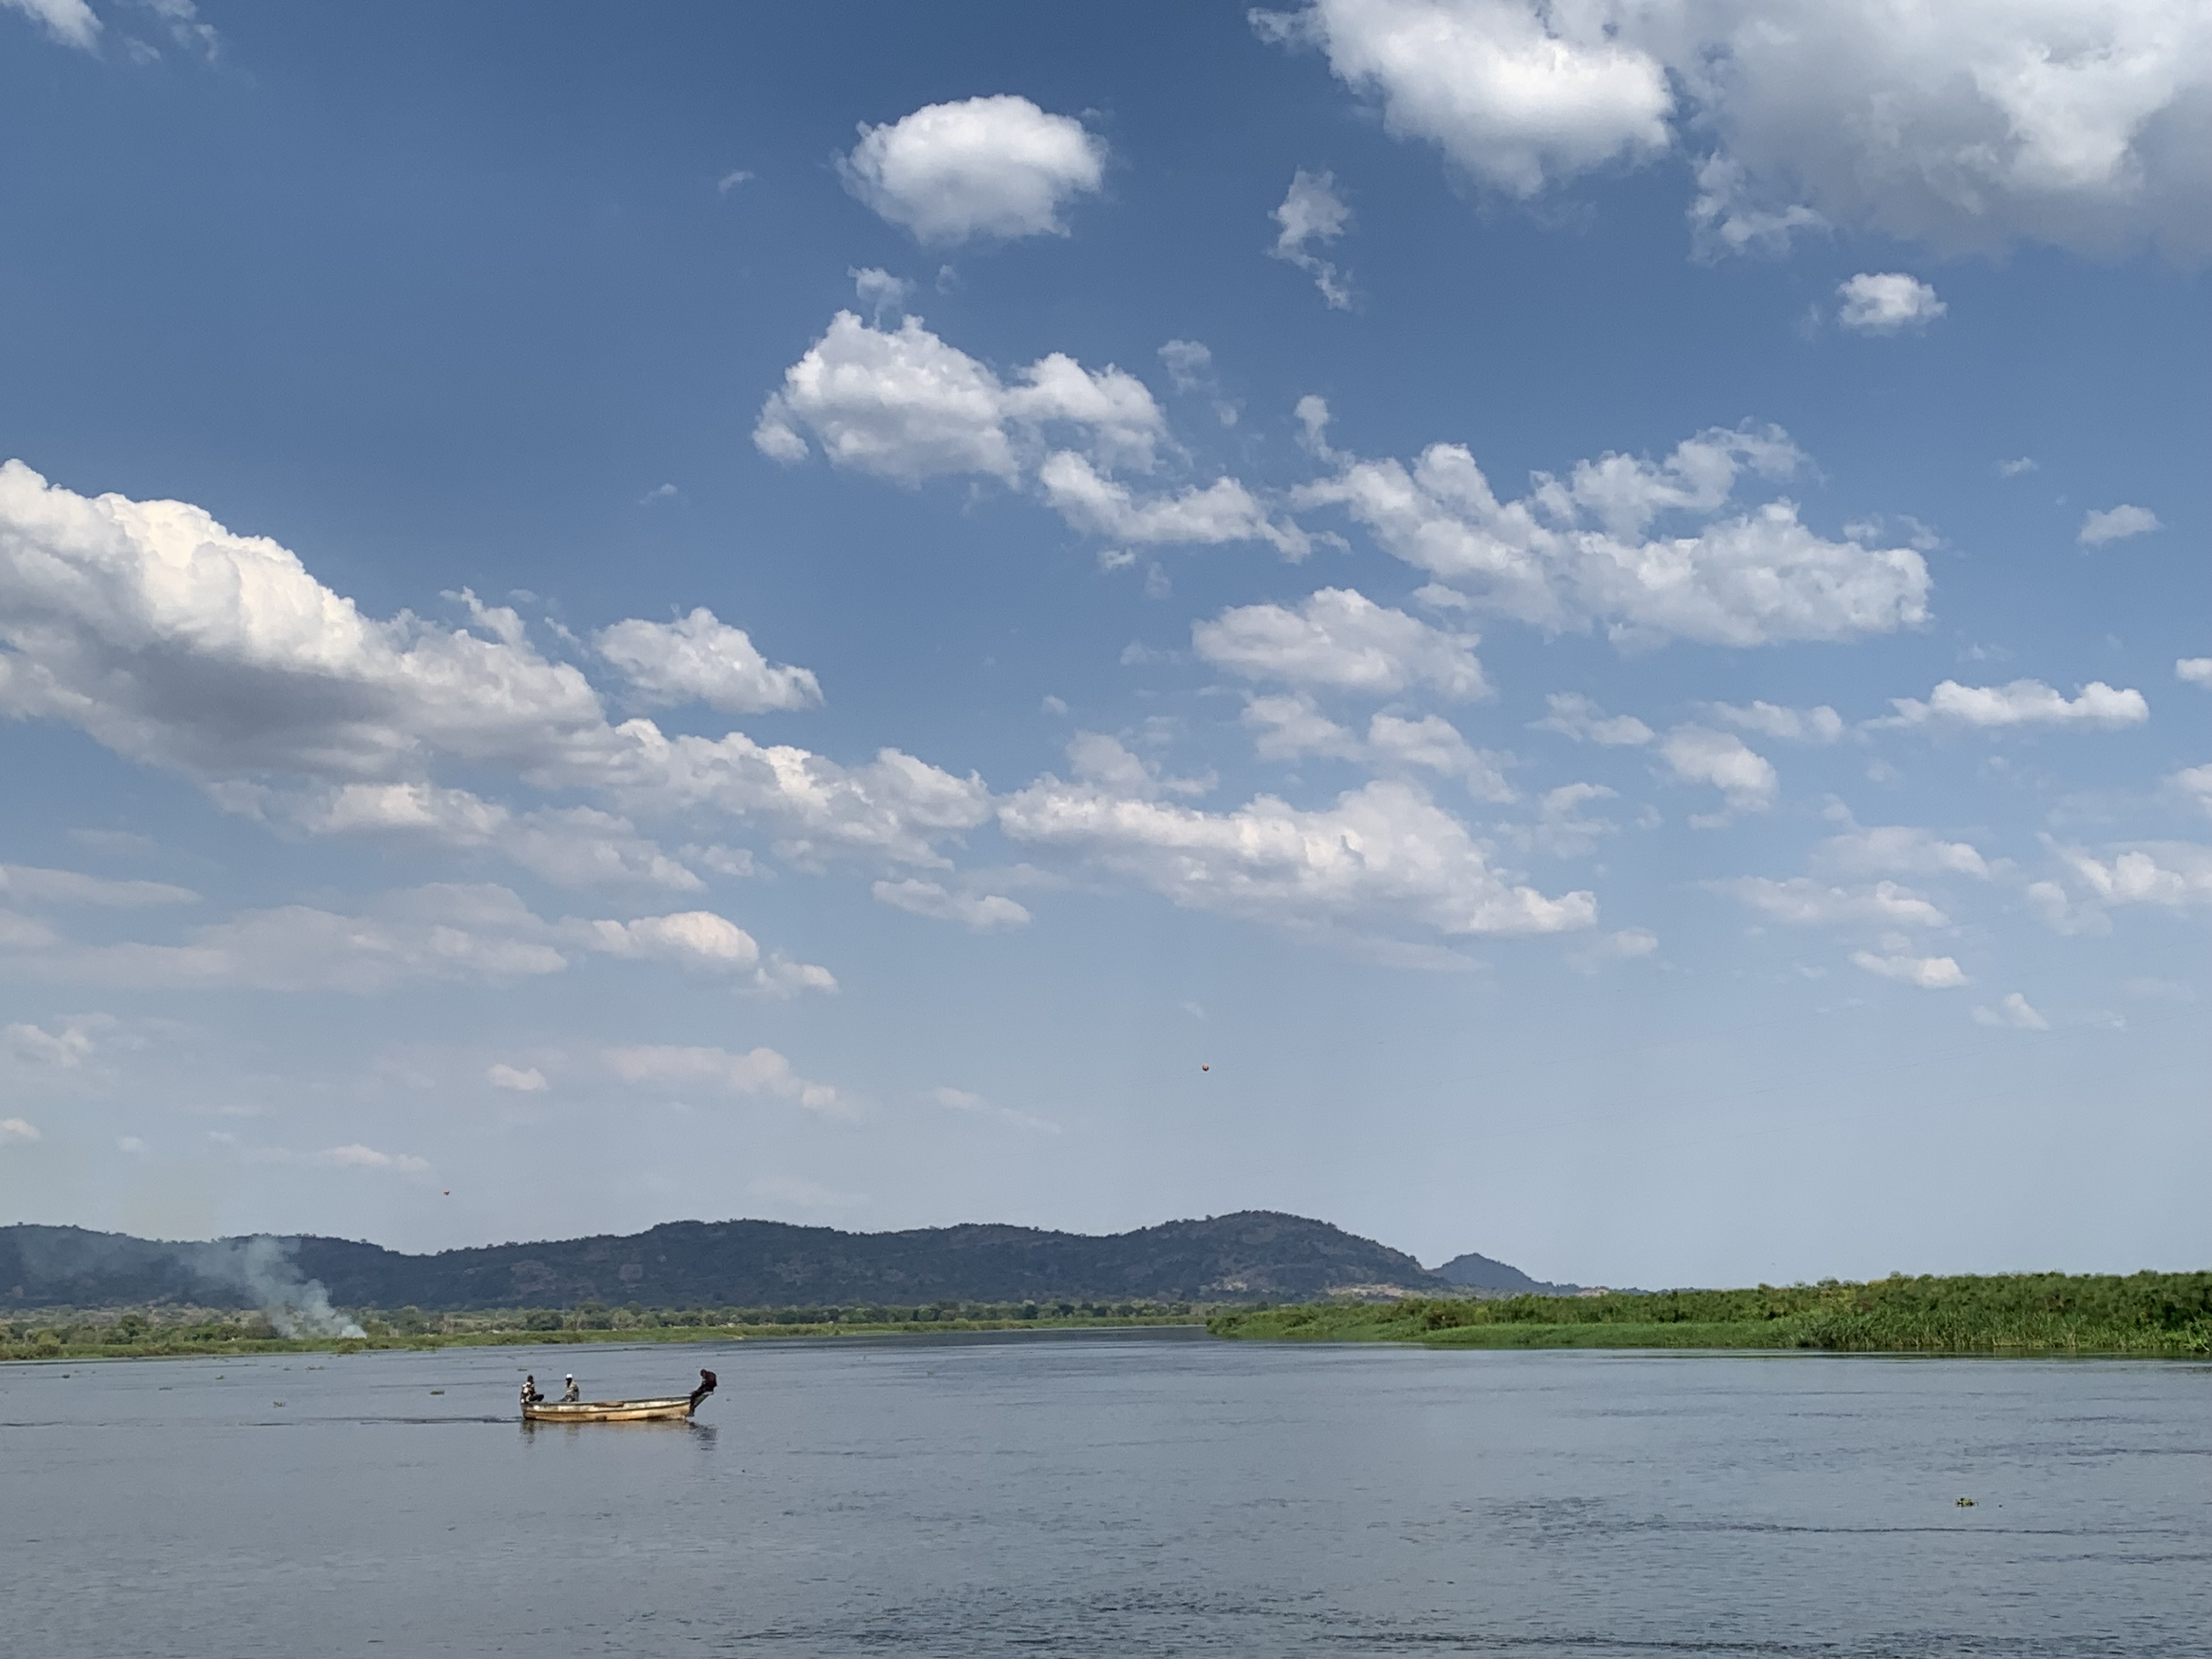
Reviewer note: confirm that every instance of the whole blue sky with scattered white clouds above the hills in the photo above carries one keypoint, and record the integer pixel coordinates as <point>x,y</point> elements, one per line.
<point>1578,634</point>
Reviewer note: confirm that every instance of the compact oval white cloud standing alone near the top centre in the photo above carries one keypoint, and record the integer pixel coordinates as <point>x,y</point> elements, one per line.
<point>985,167</point>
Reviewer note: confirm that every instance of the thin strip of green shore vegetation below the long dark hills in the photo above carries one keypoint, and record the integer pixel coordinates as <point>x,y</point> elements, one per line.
<point>182,1333</point>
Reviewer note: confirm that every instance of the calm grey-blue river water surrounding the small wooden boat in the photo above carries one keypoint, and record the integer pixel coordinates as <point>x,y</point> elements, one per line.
<point>1109,1494</point>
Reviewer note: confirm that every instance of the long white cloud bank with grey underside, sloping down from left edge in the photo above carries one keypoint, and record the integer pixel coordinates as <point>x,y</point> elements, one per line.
<point>182,645</point>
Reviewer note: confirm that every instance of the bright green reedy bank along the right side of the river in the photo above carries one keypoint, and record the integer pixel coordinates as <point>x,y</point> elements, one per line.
<point>2145,1315</point>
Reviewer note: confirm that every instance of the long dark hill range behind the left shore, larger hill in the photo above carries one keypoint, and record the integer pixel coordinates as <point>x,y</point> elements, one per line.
<point>1255,1255</point>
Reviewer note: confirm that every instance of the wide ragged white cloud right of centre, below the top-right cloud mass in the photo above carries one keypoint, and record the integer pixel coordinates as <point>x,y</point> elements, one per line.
<point>1594,547</point>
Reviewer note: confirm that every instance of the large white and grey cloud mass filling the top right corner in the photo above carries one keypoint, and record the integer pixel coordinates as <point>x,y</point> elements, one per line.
<point>1968,127</point>
